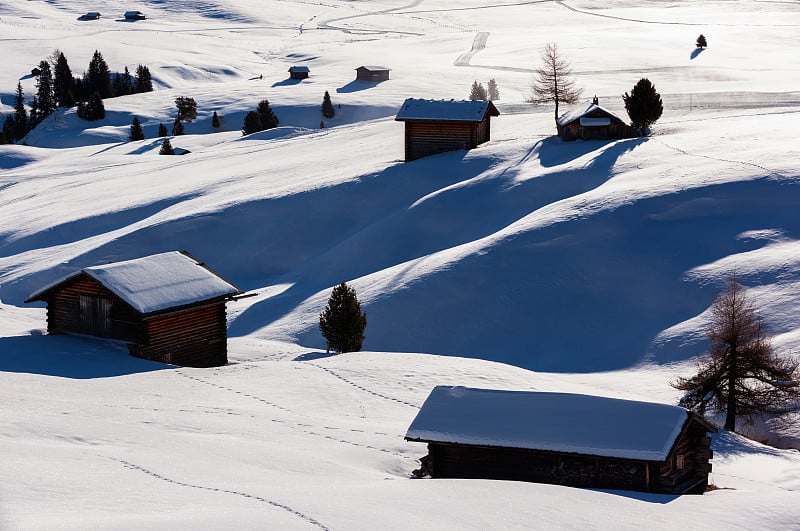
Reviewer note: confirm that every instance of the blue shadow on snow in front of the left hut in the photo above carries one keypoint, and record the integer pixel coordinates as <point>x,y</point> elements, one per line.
<point>69,356</point>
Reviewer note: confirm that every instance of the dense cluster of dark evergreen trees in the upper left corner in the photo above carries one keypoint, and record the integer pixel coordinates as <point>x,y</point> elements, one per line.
<point>57,87</point>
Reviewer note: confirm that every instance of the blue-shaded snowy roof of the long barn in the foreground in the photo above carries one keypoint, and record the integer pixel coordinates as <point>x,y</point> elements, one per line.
<point>557,422</point>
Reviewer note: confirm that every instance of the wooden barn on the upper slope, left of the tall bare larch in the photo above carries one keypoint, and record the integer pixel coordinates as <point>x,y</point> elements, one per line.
<point>437,126</point>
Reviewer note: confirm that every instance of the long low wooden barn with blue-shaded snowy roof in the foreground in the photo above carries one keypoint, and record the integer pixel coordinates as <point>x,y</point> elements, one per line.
<point>564,439</point>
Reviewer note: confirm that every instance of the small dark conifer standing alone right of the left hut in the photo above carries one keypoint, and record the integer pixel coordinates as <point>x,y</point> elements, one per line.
<point>342,324</point>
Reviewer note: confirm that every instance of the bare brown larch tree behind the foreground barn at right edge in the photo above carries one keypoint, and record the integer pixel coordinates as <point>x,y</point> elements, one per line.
<point>740,374</point>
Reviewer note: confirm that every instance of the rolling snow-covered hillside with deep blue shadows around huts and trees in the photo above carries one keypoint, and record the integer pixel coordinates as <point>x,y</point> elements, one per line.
<point>527,263</point>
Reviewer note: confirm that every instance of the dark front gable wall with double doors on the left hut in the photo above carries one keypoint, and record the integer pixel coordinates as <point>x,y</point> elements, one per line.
<point>83,306</point>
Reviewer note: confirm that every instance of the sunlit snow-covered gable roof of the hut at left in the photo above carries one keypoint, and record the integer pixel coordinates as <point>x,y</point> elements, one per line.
<point>157,282</point>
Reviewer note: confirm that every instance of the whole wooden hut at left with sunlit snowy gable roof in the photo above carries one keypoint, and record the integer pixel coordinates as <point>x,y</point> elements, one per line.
<point>169,307</point>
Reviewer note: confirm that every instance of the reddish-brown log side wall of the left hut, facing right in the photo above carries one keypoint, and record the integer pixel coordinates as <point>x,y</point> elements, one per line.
<point>196,337</point>
